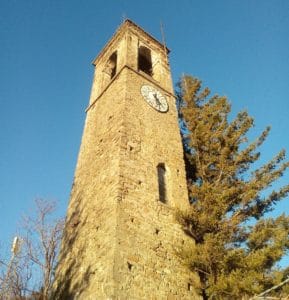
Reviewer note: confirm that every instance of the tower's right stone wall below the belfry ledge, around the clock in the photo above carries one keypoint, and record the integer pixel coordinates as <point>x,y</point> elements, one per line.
<point>148,265</point>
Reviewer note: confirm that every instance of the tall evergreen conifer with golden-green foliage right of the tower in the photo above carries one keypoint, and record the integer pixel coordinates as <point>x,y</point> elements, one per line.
<point>236,244</point>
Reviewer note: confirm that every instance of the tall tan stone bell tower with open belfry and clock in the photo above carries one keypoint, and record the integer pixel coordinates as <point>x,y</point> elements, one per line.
<point>121,239</point>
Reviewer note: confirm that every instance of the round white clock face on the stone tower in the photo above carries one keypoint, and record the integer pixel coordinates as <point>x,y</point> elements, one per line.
<point>154,98</point>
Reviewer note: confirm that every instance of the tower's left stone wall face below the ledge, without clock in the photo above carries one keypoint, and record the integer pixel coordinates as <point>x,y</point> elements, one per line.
<point>88,246</point>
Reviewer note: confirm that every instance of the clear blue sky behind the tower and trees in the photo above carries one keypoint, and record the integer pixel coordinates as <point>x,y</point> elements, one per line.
<point>238,48</point>
